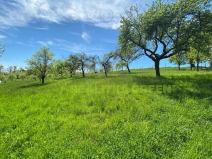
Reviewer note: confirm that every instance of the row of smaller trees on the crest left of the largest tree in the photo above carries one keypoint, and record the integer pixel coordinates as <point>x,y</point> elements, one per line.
<point>42,62</point>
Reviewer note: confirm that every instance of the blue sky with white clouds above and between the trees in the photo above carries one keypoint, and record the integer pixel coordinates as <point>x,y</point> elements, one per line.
<point>65,26</point>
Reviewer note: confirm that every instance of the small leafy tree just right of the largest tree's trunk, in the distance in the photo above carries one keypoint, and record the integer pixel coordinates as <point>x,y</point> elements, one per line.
<point>179,59</point>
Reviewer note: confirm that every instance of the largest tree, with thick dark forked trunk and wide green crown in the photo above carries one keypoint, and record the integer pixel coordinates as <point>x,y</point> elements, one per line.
<point>162,31</point>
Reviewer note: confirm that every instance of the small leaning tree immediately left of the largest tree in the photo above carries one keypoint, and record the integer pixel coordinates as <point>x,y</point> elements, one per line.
<point>127,55</point>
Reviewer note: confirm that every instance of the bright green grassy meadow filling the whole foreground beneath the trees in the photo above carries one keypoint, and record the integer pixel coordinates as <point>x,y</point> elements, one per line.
<point>123,116</point>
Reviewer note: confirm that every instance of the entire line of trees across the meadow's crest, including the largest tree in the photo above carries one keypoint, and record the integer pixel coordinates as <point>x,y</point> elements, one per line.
<point>180,31</point>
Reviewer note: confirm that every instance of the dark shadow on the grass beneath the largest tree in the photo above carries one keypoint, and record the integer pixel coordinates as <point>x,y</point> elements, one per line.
<point>180,87</point>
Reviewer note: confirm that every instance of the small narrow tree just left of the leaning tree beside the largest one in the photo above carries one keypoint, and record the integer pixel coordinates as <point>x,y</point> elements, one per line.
<point>106,63</point>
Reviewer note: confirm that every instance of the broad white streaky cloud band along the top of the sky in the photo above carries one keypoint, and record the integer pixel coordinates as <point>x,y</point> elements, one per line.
<point>104,13</point>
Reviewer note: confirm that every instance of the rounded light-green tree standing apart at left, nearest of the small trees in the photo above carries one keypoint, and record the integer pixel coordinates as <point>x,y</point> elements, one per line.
<point>40,62</point>
